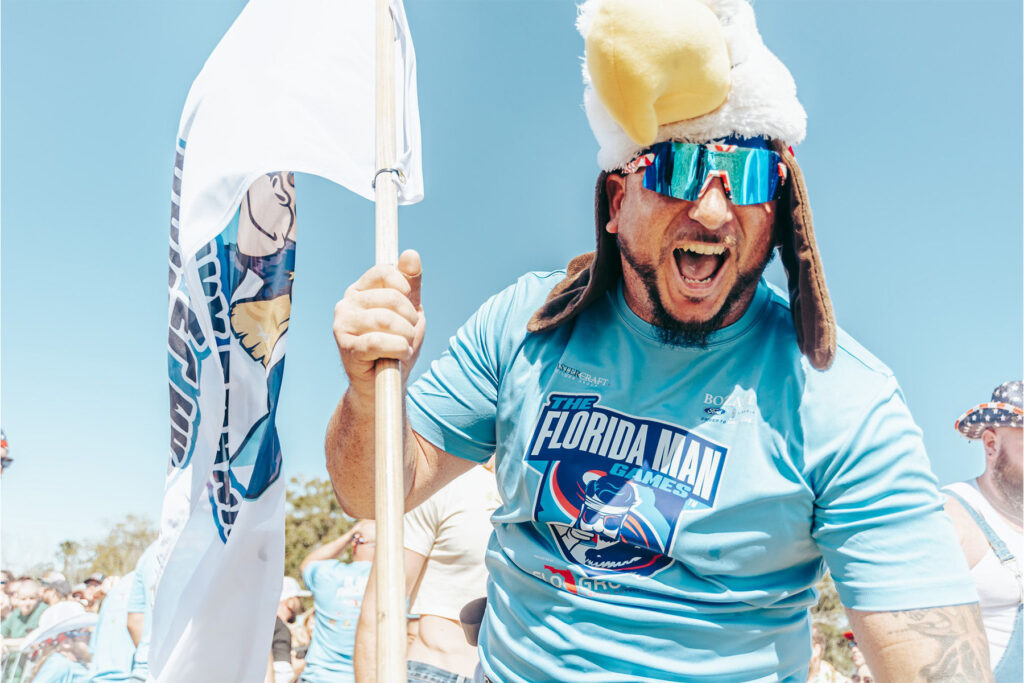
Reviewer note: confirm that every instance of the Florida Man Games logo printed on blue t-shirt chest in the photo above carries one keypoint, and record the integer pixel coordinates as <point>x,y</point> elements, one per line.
<point>614,486</point>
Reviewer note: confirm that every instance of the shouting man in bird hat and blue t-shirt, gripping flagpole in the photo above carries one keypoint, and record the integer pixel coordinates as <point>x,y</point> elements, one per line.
<point>681,449</point>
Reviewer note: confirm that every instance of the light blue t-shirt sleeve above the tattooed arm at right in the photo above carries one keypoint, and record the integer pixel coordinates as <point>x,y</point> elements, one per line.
<point>879,521</point>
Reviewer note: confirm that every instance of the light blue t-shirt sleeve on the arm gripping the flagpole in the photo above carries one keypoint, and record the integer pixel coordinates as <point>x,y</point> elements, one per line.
<point>454,404</point>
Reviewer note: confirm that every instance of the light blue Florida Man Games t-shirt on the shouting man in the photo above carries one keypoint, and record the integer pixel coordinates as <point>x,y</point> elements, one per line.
<point>666,510</point>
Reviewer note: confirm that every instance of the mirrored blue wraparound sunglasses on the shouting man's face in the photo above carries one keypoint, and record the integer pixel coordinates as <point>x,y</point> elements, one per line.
<point>684,170</point>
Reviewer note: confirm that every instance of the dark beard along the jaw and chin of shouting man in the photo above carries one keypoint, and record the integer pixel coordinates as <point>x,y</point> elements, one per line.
<point>673,332</point>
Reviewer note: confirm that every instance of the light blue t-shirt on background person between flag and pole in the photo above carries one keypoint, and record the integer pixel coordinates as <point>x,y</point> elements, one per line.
<point>337,590</point>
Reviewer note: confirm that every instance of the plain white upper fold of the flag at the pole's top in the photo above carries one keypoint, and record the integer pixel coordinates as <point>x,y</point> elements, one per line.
<point>291,88</point>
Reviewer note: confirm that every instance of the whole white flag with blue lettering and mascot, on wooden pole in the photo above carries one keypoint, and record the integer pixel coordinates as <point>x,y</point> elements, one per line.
<point>290,88</point>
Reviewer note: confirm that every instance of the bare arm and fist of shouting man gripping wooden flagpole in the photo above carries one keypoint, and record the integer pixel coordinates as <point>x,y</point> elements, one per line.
<point>380,317</point>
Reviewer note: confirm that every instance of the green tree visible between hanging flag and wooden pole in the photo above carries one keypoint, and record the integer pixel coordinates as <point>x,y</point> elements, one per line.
<point>313,517</point>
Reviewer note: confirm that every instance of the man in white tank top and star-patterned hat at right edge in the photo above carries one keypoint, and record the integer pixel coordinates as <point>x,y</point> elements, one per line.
<point>987,515</point>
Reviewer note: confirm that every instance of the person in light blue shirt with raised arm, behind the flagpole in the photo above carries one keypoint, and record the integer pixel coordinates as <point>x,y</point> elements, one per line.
<point>338,588</point>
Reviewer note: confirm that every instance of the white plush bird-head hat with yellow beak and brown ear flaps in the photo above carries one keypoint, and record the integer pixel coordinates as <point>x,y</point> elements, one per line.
<point>692,71</point>
